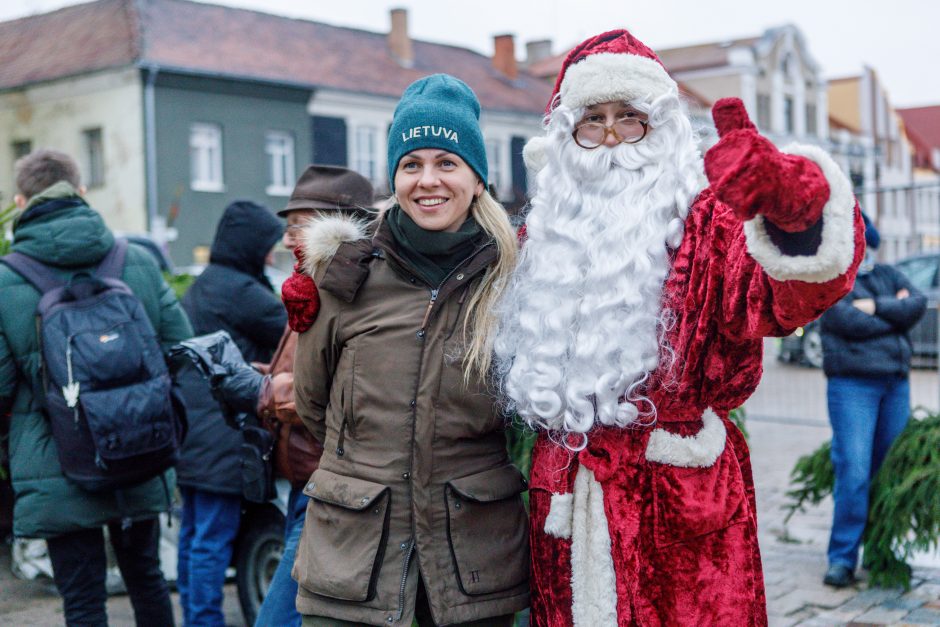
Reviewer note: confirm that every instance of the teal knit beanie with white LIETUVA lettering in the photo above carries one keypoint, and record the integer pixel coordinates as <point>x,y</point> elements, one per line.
<point>437,111</point>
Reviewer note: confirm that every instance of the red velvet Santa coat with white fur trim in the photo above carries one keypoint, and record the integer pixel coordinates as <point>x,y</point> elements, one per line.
<point>673,505</point>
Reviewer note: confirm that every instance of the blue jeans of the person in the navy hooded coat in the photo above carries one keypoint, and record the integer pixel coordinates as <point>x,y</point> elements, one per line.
<point>207,537</point>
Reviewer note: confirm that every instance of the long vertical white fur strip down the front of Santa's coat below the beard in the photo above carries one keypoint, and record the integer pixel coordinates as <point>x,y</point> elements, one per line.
<point>593,585</point>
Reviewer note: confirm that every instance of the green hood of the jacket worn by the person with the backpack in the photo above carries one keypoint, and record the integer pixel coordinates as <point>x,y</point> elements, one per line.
<point>59,229</point>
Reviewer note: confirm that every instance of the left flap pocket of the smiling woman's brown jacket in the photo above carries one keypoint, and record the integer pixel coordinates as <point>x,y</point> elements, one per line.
<point>344,536</point>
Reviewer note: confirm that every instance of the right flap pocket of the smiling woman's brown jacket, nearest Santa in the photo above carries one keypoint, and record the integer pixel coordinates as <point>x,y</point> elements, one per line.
<point>488,531</point>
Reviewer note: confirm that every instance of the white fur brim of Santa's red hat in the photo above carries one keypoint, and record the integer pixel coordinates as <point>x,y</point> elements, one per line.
<point>605,77</point>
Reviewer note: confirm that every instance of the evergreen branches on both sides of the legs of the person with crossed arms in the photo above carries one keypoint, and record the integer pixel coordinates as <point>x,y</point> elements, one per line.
<point>904,509</point>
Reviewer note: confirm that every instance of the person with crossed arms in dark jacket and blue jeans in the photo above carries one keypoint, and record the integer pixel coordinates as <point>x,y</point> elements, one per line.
<point>866,358</point>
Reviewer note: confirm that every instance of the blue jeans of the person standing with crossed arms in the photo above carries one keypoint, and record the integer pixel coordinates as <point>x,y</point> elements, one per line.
<point>866,416</point>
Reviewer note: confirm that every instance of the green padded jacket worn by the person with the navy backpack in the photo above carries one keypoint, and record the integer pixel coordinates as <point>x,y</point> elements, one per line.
<point>60,230</point>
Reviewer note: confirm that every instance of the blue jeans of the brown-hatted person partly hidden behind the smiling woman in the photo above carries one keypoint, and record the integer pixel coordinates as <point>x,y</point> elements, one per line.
<point>279,608</point>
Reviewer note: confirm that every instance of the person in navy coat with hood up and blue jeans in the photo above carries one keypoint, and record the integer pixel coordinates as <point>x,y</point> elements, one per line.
<point>231,294</point>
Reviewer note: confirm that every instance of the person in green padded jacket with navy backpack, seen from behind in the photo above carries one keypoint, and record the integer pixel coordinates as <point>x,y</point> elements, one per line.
<point>93,429</point>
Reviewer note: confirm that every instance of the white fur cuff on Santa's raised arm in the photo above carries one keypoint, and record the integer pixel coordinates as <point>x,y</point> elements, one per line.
<point>837,248</point>
